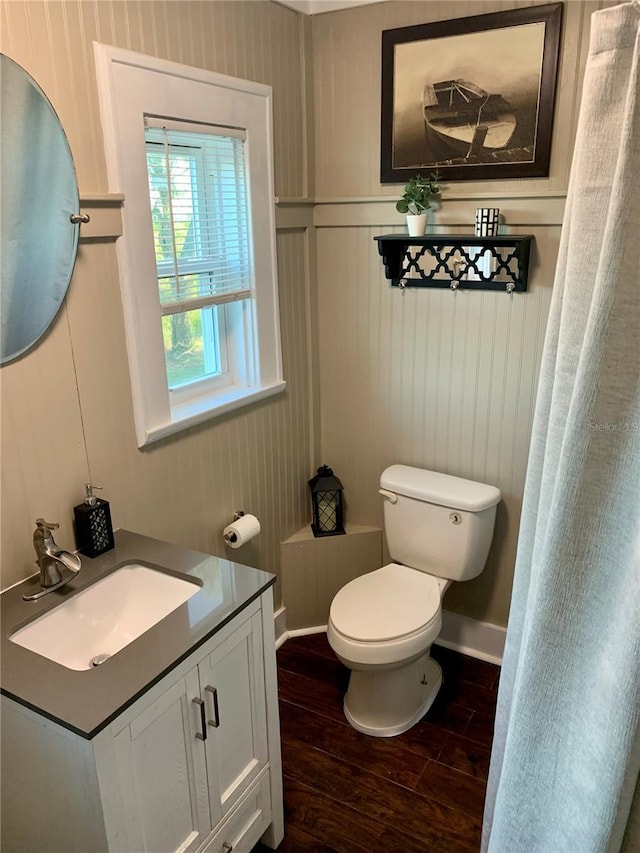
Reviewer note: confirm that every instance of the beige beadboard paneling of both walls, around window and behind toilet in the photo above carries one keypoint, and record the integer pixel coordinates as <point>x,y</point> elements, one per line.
<point>424,377</point>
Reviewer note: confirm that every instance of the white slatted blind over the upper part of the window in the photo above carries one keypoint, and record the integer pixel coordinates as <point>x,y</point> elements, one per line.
<point>201,224</point>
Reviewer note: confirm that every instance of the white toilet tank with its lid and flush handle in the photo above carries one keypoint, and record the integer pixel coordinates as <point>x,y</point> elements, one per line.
<point>437,523</point>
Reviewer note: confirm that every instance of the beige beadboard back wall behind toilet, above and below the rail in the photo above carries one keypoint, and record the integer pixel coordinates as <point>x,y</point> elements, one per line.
<point>426,377</point>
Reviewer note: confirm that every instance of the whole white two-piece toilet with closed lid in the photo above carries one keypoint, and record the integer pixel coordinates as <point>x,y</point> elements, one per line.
<point>382,625</point>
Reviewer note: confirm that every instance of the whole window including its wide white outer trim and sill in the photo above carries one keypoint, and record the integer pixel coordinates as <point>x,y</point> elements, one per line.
<point>191,151</point>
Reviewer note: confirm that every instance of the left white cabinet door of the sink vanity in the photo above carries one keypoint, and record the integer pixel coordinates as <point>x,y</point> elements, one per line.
<point>162,773</point>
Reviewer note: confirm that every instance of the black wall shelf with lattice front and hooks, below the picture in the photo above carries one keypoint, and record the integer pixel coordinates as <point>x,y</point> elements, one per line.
<point>456,261</point>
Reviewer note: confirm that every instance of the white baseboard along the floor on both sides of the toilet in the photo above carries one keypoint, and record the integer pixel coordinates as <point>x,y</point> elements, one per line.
<point>480,640</point>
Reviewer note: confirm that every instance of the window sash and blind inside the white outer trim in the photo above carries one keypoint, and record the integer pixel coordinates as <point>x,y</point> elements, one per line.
<point>202,243</point>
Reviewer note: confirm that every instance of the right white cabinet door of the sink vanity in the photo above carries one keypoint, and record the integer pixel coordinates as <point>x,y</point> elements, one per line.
<point>232,685</point>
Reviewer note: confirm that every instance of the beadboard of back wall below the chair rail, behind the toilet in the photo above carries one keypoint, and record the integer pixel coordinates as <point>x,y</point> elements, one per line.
<point>427,377</point>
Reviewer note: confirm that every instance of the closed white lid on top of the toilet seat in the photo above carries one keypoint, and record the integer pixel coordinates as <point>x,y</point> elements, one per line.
<point>386,604</point>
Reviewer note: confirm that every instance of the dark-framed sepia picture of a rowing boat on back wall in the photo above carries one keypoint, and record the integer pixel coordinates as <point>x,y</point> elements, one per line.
<point>471,97</point>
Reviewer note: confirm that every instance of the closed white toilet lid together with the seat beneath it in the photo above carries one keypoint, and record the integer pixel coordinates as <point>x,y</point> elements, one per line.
<point>386,616</point>
